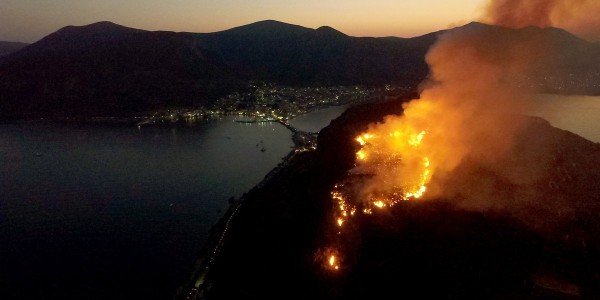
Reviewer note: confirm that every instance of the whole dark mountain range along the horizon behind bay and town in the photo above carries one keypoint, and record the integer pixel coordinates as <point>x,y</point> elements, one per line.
<point>107,69</point>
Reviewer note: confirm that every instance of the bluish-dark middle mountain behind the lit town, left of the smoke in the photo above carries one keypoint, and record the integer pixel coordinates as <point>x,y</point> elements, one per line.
<point>292,54</point>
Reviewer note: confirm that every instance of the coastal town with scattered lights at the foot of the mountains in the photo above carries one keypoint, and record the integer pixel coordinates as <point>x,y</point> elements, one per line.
<point>268,102</point>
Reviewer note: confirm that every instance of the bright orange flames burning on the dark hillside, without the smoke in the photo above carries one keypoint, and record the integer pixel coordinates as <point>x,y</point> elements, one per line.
<point>399,149</point>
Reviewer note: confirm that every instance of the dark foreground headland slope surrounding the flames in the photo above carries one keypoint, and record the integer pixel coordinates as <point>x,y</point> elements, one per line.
<point>441,247</point>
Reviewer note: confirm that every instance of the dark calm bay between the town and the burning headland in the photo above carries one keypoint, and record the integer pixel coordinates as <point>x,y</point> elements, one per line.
<point>113,212</point>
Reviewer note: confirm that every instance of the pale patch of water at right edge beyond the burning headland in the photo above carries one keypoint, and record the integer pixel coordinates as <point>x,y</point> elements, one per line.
<point>578,114</point>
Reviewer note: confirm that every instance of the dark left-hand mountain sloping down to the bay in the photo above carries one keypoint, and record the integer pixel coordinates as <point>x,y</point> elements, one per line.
<point>107,69</point>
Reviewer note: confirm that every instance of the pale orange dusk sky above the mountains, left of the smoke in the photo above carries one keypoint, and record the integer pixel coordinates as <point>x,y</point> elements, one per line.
<point>30,20</point>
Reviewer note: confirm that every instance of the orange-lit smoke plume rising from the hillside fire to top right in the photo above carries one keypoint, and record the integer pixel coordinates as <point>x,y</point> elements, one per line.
<point>479,151</point>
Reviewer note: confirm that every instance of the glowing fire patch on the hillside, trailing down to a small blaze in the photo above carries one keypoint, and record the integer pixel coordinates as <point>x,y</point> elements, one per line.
<point>390,167</point>
